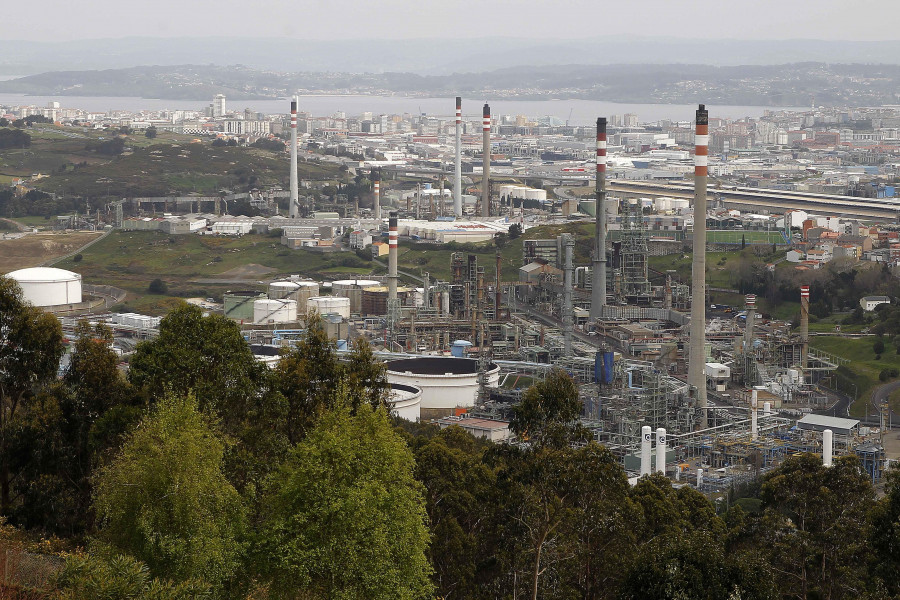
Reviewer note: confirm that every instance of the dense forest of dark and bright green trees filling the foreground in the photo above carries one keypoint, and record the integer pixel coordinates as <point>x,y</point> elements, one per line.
<point>203,474</point>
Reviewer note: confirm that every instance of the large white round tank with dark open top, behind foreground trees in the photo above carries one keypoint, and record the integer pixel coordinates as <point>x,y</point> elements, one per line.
<point>446,382</point>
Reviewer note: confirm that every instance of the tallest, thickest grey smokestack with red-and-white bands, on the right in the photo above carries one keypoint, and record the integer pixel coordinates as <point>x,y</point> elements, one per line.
<point>697,364</point>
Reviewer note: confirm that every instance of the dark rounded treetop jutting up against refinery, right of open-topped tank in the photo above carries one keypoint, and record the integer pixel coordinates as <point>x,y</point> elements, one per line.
<point>549,411</point>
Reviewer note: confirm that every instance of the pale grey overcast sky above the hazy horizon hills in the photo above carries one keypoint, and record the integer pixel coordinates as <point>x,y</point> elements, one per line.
<point>57,20</point>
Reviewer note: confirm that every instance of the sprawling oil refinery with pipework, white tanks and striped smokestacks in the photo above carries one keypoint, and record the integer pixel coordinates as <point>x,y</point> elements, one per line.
<point>706,398</point>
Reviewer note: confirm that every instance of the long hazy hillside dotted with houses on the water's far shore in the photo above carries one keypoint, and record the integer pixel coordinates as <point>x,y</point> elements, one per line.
<point>797,84</point>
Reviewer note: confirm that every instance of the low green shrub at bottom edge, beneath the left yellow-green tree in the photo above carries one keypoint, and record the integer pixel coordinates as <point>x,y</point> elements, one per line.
<point>119,577</point>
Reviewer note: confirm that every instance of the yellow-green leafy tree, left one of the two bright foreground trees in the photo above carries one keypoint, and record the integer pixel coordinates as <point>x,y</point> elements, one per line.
<point>165,499</point>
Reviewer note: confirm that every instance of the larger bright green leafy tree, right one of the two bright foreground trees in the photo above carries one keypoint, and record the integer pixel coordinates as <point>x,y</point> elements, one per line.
<point>346,518</point>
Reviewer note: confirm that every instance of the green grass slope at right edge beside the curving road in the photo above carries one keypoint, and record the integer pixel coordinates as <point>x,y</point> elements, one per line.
<point>863,368</point>
